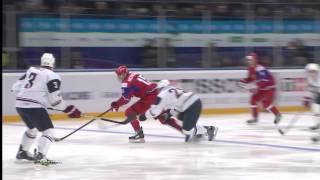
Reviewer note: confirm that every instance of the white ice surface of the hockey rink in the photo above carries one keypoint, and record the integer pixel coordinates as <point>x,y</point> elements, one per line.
<point>240,151</point>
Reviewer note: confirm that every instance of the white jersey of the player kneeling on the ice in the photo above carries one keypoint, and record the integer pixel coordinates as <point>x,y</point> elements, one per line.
<point>174,99</point>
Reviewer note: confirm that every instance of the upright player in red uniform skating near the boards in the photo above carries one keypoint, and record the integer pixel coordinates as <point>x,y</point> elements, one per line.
<point>264,90</point>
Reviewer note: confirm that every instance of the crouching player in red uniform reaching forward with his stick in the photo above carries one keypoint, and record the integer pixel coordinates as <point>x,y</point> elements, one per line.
<point>134,84</point>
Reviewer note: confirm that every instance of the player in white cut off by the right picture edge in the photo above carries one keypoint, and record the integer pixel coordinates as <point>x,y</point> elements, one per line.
<point>312,98</point>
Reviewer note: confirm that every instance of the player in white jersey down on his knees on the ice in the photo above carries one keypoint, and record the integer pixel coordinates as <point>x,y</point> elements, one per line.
<point>185,106</point>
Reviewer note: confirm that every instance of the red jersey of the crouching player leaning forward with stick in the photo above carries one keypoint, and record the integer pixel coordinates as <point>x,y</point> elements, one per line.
<point>135,85</point>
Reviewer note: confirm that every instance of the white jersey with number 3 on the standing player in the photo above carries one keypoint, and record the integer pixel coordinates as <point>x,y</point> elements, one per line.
<point>39,87</point>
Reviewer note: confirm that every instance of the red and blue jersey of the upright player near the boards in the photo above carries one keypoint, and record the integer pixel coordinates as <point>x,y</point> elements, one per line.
<point>261,76</point>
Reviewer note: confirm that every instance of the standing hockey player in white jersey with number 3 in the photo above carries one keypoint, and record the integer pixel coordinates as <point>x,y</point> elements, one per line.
<point>37,90</point>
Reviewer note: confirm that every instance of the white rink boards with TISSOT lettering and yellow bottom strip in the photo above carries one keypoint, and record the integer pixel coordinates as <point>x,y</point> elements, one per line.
<point>93,92</point>
